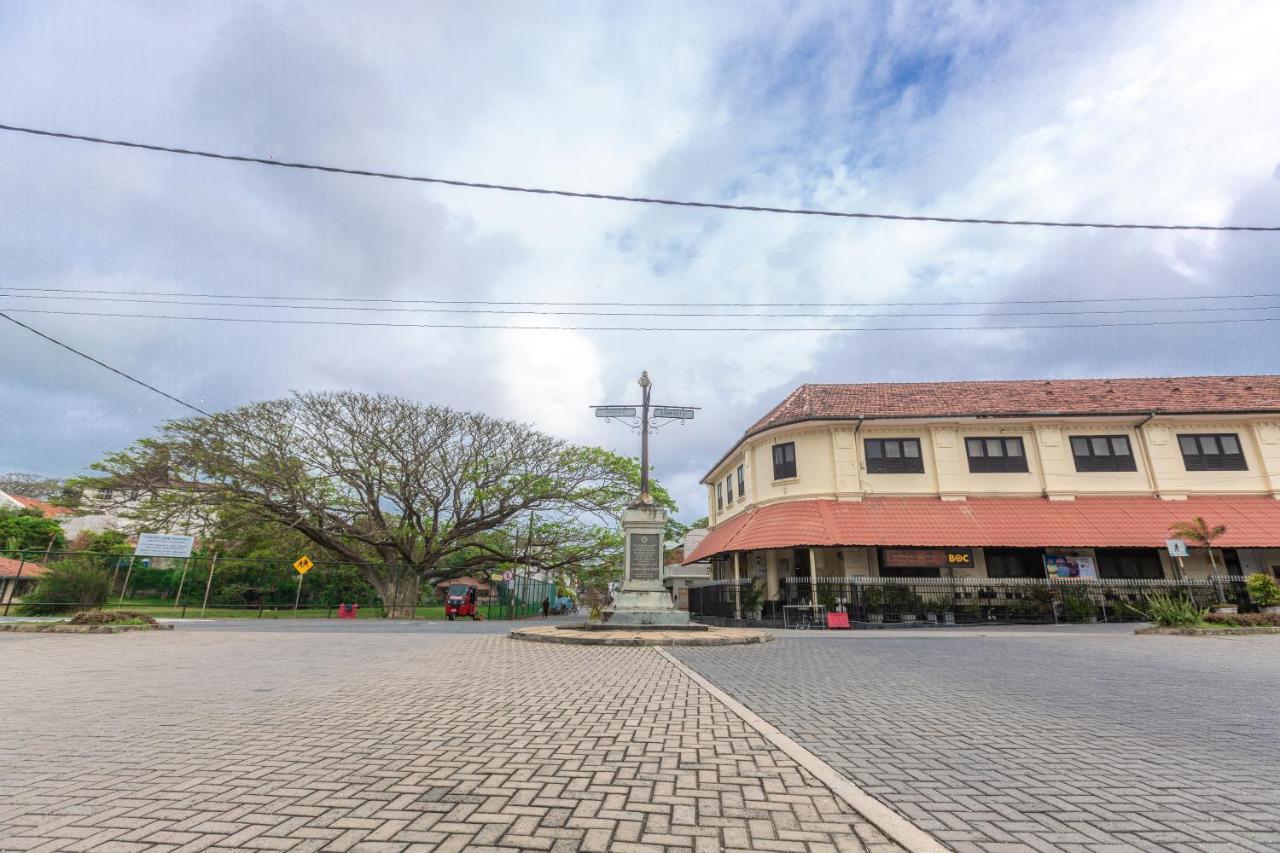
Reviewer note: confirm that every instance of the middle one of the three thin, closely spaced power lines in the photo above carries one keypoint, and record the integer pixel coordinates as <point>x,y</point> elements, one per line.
<point>380,309</point>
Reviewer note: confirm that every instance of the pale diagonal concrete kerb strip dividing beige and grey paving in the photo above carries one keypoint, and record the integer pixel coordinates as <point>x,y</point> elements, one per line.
<point>886,820</point>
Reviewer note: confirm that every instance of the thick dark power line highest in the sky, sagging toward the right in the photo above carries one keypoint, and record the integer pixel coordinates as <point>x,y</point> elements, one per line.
<point>604,197</point>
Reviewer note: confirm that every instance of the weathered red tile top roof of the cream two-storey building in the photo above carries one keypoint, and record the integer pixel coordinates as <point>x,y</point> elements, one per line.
<point>1172,395</point>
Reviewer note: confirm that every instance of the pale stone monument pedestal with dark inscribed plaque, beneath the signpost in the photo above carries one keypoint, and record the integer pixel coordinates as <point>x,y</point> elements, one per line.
<point>643,600</point>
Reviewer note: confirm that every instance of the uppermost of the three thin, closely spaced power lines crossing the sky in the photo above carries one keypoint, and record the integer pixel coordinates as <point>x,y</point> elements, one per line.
<point>610,304</point>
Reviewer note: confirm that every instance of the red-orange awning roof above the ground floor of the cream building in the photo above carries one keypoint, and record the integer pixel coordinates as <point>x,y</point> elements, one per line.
<point>1016,523</point>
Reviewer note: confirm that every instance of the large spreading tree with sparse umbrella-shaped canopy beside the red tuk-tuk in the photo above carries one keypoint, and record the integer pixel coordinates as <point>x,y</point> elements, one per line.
<point>413,492</point>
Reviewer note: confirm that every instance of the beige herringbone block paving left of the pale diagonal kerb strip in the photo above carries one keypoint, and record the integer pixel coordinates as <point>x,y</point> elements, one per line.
<point>309,740</point>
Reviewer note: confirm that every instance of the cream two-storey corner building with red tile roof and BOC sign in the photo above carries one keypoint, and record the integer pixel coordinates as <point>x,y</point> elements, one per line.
<point>1002,480</point>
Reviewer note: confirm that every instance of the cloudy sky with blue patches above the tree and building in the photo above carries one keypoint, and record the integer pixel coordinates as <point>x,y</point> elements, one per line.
<point>1156,112</point>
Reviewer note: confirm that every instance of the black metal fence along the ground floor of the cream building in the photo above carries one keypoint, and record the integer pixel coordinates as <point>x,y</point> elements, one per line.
<point>945,601</point>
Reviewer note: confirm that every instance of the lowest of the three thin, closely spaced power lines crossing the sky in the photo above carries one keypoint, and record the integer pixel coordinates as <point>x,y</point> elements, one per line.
<point>648,329</point>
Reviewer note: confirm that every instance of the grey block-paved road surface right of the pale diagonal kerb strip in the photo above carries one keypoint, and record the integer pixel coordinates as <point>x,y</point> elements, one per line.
<point>1048,741</point>
